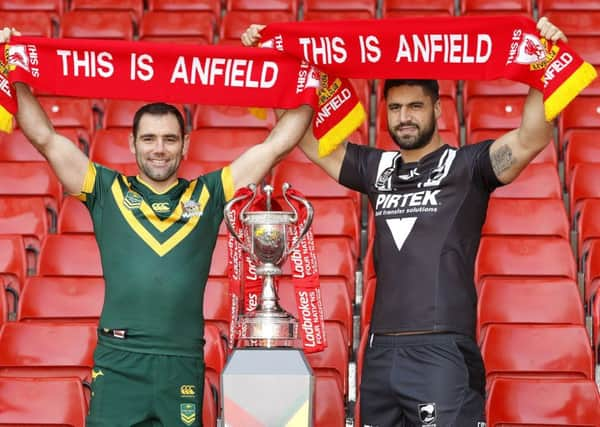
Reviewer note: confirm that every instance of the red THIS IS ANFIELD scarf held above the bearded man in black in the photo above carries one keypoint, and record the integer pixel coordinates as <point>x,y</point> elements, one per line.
<point>454,48</point>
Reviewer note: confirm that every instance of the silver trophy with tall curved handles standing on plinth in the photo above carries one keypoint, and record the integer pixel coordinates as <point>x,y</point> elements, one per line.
<point>265,239</point>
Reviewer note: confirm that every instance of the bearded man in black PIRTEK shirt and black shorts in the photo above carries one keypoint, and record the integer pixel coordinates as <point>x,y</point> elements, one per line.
<point>422,366</point>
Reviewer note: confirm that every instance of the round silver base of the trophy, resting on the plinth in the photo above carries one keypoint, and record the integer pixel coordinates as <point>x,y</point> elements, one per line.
<point>269,329</point>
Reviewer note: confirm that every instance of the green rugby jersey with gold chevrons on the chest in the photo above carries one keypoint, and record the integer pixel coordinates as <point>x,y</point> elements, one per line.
<point>156,251</point>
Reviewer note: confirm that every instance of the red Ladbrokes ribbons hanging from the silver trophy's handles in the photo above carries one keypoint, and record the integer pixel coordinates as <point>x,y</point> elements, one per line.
<point>246,286</point>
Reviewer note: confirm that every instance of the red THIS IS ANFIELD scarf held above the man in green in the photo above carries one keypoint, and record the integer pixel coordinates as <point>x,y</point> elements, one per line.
<point>225,75</point>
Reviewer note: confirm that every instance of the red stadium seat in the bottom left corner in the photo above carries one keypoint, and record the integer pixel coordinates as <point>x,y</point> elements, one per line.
<point>42,402</point>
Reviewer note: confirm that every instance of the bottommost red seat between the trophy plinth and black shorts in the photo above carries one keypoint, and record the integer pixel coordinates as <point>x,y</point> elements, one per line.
<point>328,403</point>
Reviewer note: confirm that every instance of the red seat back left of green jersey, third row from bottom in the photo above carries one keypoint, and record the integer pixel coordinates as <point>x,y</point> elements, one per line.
<point>62,298</point>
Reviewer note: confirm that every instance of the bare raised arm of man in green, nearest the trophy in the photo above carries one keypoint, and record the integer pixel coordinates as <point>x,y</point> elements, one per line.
<point>254,163</point>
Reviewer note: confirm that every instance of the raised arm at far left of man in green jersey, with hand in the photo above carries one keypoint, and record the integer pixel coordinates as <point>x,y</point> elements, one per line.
<point>68,162</point>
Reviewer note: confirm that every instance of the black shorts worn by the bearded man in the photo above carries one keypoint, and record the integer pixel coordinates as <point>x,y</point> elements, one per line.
<point>422,380</point>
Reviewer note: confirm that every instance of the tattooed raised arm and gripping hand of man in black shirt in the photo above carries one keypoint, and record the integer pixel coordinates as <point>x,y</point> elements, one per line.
<point>512,152</point>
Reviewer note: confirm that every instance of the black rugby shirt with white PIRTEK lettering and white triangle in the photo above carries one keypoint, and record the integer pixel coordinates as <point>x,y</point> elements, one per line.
<point>428,218</point>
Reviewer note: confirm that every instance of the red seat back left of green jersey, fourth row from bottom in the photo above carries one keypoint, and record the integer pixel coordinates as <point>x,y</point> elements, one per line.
<point>70,255</point>
